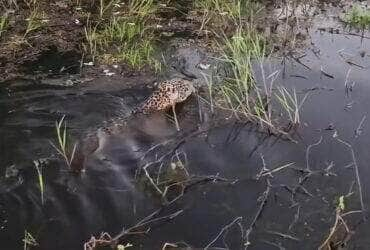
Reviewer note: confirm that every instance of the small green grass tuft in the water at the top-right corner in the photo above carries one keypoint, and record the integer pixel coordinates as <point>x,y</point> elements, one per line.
<point>358,17</point>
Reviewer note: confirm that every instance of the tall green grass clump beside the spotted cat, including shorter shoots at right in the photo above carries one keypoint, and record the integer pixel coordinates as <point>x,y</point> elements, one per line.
<point>241,94</point>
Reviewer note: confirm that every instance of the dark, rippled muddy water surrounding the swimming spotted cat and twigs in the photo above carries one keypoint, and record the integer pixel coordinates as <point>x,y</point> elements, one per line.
<point>106,198</point>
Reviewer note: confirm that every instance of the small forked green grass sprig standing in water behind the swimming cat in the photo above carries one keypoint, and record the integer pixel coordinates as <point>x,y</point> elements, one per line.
<point>62,143</point>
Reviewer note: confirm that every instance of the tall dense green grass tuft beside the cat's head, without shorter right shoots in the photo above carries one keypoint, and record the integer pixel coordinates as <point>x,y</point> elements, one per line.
<point>239,92</point>
